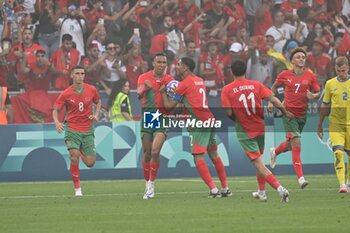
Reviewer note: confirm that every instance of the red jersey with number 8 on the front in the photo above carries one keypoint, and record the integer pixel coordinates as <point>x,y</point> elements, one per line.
<point>79,107</point>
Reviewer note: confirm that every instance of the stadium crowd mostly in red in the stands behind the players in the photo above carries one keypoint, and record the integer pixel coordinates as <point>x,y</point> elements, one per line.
<point>43,40</point>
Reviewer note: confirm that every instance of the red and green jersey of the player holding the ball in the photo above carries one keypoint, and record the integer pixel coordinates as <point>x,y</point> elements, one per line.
<point>153,100</point>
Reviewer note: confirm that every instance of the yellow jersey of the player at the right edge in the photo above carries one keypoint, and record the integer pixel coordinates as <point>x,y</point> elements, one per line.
<point>337,93</point>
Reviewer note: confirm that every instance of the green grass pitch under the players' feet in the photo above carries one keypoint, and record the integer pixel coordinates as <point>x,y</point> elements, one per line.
<point>180,205</point>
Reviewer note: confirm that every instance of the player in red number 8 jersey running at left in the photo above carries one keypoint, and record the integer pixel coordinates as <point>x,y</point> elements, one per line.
<point>79,123</point>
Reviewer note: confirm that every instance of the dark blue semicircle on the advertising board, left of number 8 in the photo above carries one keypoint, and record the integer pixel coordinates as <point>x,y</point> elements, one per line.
<point>44,164</point>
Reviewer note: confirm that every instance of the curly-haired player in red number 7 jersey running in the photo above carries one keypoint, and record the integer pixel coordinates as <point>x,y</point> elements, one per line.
<point>297,84</point>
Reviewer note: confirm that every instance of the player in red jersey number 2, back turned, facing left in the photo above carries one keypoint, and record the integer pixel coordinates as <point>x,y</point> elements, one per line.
<point>203,140</point>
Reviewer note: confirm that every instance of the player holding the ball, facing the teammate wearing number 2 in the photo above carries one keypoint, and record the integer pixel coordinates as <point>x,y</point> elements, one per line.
<point>153,139</point>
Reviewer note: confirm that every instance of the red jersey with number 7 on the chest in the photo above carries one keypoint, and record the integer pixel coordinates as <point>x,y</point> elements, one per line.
<point>295,89</point>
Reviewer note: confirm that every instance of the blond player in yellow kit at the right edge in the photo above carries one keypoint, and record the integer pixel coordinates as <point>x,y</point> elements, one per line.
<point>336,103</point>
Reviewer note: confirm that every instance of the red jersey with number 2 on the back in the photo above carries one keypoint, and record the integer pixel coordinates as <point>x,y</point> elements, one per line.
<point>193,90</point>
